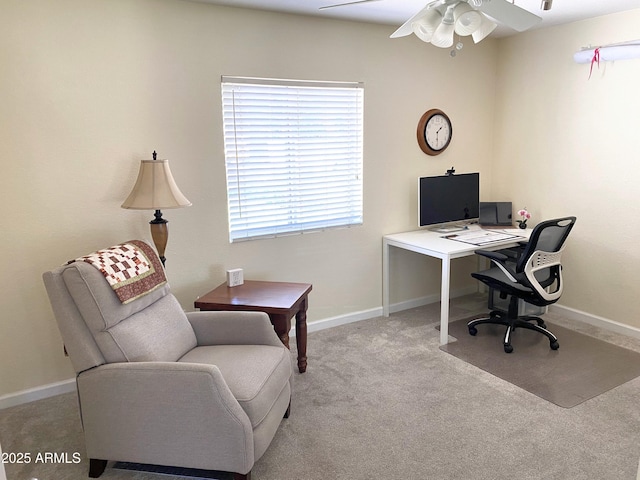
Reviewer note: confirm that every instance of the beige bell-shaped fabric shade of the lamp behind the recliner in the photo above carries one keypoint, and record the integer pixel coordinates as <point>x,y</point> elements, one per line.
<point>155,188</point>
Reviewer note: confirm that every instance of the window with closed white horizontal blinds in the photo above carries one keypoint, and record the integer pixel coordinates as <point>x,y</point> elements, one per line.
<point>293,153</point>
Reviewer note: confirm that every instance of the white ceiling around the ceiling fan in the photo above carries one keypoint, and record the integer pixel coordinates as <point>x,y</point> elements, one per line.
<point>396,12</point>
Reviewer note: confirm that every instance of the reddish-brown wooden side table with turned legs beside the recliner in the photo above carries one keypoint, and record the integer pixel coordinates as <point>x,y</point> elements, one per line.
<point>280,300</point>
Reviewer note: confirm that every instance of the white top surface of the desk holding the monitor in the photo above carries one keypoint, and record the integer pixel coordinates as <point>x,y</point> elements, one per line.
<point>435,244</point>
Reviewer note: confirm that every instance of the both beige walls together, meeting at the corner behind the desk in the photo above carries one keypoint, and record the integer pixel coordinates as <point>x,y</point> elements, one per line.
<point>90,87</point>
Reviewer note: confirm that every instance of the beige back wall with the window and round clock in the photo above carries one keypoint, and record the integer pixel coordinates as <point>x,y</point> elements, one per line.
<point>90,87</point>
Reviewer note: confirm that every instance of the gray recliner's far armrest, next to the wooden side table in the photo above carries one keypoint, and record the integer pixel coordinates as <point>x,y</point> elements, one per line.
<point>233,328</point>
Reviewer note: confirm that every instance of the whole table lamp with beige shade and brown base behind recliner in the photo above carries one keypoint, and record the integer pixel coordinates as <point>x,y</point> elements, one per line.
<point>156,189</point>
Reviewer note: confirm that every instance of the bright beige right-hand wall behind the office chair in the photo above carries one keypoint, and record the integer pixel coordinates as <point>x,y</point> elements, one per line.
<point>567,144</point>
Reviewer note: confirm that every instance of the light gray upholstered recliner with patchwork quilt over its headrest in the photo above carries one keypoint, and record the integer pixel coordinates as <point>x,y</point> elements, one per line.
<point>156,385</point>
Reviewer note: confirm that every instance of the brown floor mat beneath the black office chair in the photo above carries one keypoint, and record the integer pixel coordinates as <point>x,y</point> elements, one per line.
<point>582,368</point>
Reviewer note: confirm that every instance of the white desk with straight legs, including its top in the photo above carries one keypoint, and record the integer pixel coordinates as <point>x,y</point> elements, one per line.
<point>433,244</point>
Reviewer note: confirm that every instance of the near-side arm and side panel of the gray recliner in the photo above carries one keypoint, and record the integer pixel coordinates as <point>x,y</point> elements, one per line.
<point>164,413</point>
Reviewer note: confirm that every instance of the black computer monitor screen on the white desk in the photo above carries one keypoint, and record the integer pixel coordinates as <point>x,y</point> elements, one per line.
<point>448,198</point>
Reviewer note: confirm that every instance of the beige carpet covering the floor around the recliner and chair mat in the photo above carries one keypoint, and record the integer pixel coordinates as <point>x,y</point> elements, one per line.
<point>380,400</point>
